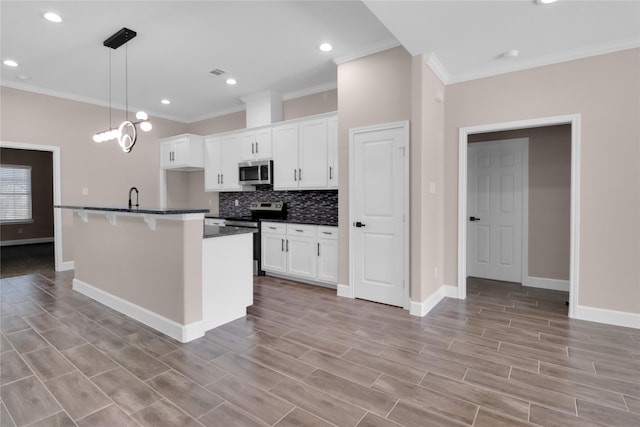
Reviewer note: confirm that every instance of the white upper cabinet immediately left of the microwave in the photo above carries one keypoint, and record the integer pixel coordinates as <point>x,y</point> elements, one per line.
<point>222,155</point>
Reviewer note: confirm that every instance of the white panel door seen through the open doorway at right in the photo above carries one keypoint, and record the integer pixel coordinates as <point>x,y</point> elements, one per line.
<point>495,207</point>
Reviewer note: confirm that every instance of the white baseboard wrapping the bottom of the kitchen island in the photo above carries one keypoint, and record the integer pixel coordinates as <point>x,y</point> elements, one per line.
<point>183,333</point>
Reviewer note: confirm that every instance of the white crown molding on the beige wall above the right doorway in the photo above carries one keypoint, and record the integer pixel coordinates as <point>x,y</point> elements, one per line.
<point>509,66</point>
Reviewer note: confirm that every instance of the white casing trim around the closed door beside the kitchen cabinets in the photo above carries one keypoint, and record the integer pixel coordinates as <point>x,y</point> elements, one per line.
<point>404,125</point>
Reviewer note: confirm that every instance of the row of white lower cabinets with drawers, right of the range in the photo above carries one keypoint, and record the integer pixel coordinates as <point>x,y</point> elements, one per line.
<point>301,251</point>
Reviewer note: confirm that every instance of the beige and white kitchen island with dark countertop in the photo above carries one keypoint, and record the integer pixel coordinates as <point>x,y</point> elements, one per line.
<point>163,267</point>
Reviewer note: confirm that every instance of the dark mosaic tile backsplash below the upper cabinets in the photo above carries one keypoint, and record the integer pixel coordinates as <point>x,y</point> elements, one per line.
<point>321,205</point>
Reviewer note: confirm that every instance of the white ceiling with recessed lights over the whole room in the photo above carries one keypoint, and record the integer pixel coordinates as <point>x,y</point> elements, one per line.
<point>272,45</point>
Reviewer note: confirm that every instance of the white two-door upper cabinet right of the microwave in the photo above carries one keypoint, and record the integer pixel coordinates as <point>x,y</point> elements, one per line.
<point>301,154</point>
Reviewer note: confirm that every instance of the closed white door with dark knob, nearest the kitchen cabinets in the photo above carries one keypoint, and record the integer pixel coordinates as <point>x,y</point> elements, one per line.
<point>379,206</point>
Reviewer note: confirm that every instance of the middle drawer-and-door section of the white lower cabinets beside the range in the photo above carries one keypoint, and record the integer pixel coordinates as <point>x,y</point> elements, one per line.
<point>301,250</point>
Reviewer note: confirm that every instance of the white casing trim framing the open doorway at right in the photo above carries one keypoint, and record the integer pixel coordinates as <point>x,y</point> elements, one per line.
<point>463,133</point>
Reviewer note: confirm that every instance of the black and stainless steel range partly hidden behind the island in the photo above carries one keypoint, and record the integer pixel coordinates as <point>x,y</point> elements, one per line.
<point>257,212</point>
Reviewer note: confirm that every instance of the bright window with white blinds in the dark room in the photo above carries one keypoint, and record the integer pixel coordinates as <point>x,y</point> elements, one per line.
<point>15,194</point>
